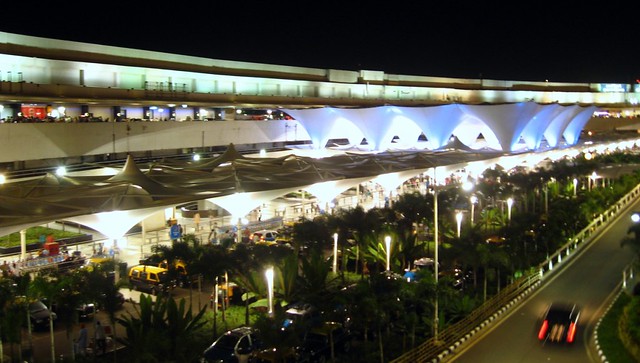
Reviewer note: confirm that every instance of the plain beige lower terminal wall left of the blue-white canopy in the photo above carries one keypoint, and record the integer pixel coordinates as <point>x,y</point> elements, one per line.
<point>50,141</point>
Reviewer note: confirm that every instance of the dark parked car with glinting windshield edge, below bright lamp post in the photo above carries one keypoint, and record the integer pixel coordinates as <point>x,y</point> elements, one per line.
<point>233,346</point>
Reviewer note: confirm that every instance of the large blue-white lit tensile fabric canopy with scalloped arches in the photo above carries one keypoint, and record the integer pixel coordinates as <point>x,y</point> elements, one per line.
<point>502,125</point>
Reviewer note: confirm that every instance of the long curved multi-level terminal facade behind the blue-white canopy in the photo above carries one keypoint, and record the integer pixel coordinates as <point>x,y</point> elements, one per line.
<point>69,85</point>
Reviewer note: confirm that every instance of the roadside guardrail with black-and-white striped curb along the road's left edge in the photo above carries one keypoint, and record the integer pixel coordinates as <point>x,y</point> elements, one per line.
<point>452,337</point>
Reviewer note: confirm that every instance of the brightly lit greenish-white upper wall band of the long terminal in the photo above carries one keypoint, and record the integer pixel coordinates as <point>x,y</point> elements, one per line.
<point>105,76</point>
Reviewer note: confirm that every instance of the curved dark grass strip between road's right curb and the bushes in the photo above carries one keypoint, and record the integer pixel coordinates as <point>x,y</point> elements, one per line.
<point>610,342</point>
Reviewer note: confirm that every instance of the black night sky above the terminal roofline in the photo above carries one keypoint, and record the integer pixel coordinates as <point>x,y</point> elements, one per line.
<point>512,41</point>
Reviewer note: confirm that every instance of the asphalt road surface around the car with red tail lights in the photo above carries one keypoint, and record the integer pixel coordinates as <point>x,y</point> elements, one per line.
<point>589,280</point>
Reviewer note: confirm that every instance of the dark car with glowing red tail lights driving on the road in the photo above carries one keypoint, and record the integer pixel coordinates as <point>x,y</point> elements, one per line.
<point>559,323</point>
